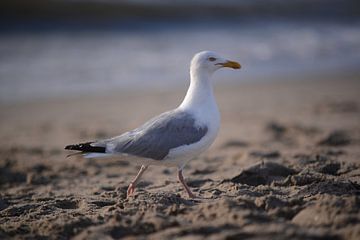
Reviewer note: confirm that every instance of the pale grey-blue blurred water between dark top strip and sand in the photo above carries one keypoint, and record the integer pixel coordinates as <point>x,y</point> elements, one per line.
<point>40,64</point>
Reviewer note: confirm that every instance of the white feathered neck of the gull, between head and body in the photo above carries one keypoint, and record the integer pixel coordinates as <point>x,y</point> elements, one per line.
<point>200,93</point>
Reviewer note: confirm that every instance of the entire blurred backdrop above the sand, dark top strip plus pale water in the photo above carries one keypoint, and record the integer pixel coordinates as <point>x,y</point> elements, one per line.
<point>64,47</point>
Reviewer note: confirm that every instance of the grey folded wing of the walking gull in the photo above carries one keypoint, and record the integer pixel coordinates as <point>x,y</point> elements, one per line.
<point>158,136</point>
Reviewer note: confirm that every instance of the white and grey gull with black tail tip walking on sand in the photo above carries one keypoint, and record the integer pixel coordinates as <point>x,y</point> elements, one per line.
<point>174,137</point>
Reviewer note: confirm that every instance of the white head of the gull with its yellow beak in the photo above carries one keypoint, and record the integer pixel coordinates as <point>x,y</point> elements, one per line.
<point>208,62</point>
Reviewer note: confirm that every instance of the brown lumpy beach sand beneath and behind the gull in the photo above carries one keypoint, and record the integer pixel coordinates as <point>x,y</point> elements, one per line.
<point>285,166</point>
